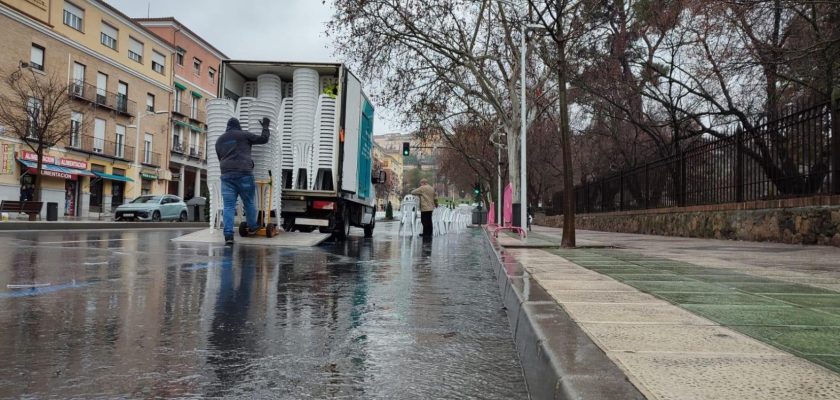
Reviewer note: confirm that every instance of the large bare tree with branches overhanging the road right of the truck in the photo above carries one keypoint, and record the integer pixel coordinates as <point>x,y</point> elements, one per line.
<point>440,61</point>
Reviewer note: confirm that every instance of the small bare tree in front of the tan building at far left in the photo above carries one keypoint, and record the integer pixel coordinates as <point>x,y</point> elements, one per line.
<point>37,110</point>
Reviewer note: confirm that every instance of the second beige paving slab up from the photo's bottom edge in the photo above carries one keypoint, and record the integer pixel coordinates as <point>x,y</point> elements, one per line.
<point>674,338</point>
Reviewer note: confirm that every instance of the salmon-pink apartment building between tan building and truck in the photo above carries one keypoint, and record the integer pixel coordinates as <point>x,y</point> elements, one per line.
<point>196,80</point>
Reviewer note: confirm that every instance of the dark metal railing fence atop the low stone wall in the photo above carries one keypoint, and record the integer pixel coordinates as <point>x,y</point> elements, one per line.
<point>791,156</point>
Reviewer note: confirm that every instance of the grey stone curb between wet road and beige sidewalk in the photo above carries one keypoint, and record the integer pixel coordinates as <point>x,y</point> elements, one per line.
<point>559,360</point>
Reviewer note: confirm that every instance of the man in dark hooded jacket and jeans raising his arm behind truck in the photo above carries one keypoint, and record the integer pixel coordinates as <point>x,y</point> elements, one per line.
<point>234,151</point>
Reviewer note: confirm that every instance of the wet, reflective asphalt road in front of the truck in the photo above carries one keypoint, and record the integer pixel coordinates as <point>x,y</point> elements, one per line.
<point>131,314</point>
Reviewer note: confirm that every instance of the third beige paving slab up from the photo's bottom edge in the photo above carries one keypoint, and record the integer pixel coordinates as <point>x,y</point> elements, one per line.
<point>633,313</point>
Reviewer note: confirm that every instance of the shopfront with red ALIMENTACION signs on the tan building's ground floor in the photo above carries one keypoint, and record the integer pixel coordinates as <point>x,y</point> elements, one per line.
<point>61,180</point>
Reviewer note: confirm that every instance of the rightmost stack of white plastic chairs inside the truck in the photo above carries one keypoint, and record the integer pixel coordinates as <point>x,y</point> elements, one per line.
<point>326,124</point>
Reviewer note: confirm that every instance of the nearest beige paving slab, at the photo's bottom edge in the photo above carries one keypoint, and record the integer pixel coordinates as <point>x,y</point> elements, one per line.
<point>754,377</point>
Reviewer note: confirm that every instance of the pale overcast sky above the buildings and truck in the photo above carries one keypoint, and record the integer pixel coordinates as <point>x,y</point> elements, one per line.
<point>288,30</point>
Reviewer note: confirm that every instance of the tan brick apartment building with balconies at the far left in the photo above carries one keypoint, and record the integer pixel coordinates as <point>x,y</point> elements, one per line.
<point>120,79</point>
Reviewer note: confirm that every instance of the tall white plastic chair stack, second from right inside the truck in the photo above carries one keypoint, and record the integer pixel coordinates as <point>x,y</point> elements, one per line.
<point>306,85</point>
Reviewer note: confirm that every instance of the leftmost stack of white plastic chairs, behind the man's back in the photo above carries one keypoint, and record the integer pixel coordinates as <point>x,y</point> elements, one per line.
<point>219,111</point>
